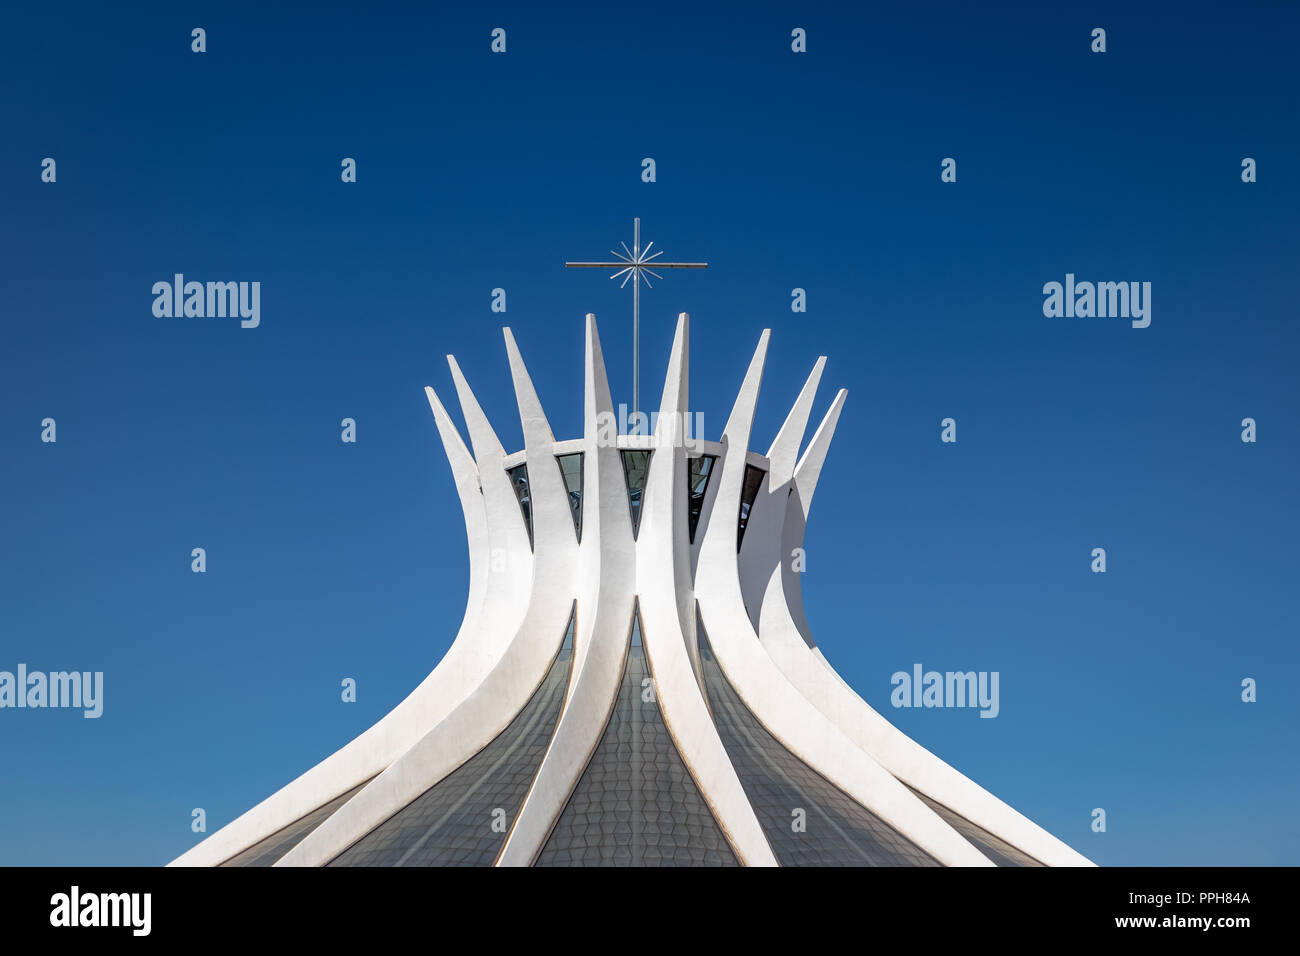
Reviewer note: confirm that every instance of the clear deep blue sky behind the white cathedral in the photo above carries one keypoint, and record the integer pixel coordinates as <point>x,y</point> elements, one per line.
<point>818,171</point>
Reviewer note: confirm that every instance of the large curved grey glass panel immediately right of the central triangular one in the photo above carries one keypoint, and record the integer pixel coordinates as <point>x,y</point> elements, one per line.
<point>838,832</point>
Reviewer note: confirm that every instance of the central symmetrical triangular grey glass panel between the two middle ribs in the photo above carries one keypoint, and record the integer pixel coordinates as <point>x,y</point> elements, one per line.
<point>636,804</point>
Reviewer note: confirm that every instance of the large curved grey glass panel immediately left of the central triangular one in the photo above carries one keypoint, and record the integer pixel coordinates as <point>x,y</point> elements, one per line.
<point>463,820</point>
